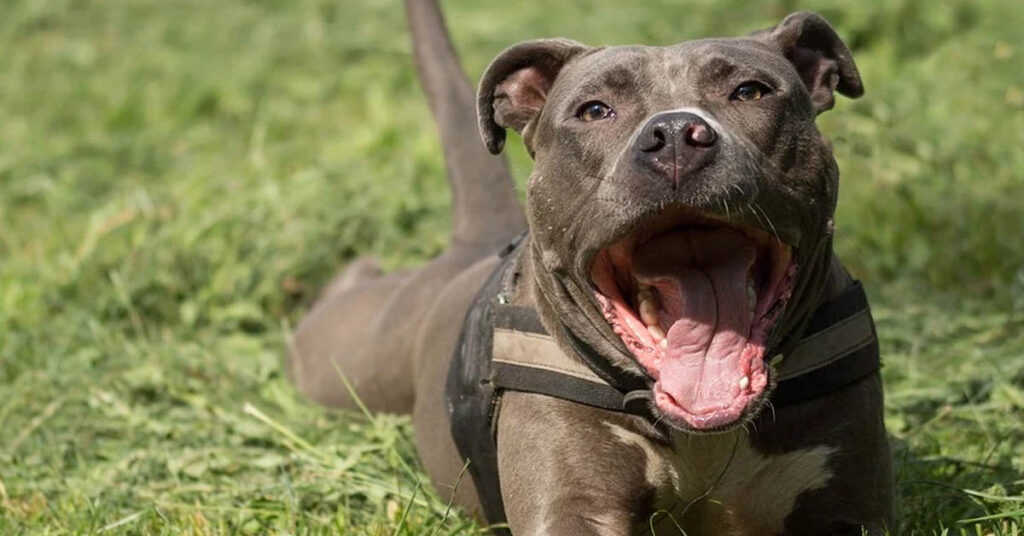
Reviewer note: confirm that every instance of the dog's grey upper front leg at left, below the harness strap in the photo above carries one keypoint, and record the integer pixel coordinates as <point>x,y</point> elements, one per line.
<point>565,472</point>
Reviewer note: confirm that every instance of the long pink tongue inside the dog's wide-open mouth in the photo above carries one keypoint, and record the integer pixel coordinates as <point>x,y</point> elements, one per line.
<point>702,278</point>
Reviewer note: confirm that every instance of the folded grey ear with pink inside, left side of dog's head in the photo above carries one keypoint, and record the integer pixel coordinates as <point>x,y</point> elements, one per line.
<point>516,88</point>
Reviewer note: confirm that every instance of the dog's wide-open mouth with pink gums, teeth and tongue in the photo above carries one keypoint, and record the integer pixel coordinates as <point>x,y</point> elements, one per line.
<point>696,305</point>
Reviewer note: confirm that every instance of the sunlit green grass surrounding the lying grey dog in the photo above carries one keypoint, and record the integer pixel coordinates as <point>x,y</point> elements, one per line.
<point>179,178</point>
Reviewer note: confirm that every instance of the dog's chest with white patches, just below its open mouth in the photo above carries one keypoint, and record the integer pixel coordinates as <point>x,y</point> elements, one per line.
<point>722,485</point>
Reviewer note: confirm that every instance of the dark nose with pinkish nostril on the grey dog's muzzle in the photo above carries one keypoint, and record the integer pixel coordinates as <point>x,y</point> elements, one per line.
<point>676,143</point>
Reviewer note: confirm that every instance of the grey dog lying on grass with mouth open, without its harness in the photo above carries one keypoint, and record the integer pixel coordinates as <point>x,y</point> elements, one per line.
<point>682,160</point>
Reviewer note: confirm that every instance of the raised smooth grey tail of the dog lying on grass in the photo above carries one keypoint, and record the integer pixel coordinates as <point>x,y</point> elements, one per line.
<point>486,211</point>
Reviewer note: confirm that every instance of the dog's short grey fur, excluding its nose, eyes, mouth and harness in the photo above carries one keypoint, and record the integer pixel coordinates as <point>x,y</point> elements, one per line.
<point>563,471</point>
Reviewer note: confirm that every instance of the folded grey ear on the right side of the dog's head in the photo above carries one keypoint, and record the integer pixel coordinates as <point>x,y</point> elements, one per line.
<point>822,59</point>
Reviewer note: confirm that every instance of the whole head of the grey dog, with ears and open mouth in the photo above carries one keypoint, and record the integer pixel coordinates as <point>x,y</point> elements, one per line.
<point>679,197</point>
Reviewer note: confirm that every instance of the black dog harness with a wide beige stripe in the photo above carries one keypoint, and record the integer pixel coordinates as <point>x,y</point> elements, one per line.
<point>504,347</point>
